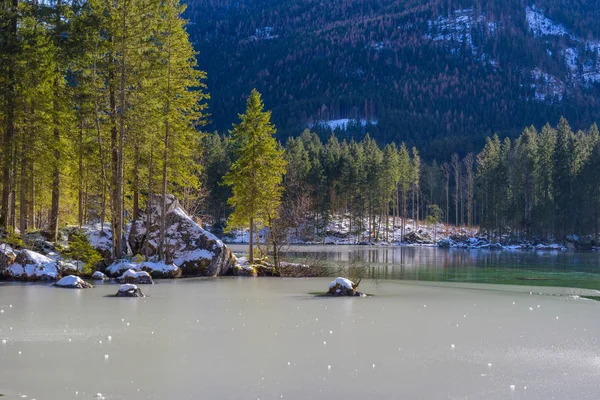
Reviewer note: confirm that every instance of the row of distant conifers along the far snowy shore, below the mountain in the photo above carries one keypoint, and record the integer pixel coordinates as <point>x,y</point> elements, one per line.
<point>540,186</point>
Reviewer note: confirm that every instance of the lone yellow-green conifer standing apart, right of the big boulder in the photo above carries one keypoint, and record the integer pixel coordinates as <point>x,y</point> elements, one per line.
<point>255,176</point>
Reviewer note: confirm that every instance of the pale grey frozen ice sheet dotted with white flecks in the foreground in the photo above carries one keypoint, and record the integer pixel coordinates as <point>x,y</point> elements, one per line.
<point>233,338</point>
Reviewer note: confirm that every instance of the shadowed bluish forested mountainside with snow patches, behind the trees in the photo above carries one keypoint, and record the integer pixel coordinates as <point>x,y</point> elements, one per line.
<point>441,76</point>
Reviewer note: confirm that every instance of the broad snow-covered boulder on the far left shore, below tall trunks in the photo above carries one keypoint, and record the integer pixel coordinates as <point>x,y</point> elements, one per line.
<point>32,266</point>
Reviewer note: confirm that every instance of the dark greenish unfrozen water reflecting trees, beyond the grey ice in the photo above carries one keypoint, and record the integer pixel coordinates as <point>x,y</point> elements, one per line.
<point>515,267</point>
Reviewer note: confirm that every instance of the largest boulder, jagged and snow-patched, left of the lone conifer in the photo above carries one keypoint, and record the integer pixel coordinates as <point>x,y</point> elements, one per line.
<point>191,248</point>
